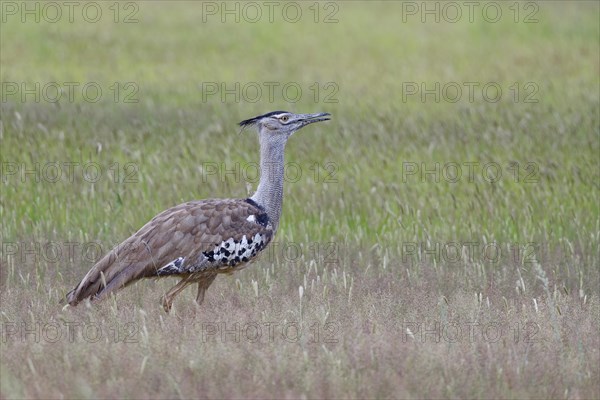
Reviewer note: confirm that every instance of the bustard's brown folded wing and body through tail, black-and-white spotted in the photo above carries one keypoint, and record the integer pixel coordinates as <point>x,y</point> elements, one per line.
<point>183,239</point>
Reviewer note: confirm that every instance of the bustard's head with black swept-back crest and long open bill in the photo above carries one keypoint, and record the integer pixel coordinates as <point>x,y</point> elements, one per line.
<point>280,125</point>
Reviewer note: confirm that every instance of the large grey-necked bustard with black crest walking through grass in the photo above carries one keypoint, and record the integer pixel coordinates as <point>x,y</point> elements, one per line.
<point>197,240</point>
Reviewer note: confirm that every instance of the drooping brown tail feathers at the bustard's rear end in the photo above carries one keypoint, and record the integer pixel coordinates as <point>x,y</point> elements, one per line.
<point>108,275</point>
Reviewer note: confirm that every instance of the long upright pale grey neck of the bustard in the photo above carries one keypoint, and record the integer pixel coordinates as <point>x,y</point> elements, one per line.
<point>269,194</point>
